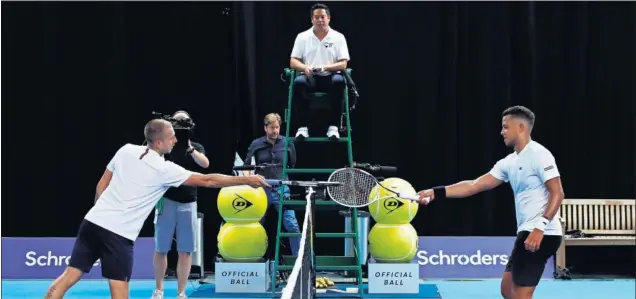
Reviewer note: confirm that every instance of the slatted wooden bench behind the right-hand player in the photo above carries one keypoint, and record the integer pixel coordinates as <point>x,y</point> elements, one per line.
<point>603,222</point>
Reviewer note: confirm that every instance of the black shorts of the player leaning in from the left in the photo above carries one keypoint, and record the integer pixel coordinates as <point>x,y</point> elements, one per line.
<point>114,251</point>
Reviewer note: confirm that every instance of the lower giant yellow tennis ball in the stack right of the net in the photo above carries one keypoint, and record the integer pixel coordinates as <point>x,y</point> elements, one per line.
<point>393,243</point>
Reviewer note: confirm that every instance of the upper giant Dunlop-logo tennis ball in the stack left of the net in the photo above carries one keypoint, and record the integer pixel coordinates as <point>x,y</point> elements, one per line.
<point>242,204</point>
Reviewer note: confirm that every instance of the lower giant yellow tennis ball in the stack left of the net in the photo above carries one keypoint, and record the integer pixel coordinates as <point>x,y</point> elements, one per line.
<point>242,242</point>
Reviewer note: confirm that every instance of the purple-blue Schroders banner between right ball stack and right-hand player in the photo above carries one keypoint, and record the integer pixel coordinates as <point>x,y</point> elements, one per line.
<point>466,257</point>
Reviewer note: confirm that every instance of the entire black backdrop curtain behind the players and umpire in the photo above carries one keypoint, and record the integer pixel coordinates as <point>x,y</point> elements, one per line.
<point>81,79</point>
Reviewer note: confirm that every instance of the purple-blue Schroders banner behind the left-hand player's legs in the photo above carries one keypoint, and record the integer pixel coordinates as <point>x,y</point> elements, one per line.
<point>46,258</point>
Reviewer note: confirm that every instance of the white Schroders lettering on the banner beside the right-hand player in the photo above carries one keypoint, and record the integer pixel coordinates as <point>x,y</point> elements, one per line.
<point>479,258</point>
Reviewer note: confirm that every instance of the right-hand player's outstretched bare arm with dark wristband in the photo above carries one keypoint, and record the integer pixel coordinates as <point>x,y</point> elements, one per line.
<point>461,189</point>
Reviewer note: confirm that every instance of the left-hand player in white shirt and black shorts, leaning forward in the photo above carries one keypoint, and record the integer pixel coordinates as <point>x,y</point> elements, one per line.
<point>134,181</point>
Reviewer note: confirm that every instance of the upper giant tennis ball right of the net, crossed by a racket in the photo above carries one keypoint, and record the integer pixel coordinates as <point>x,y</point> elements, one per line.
<point>391,209</point>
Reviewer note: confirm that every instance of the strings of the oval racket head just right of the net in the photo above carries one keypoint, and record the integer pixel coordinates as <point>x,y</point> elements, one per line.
<point>355,187</point>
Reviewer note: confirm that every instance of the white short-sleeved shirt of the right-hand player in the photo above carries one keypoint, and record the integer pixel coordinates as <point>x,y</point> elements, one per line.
<point>527,173</point>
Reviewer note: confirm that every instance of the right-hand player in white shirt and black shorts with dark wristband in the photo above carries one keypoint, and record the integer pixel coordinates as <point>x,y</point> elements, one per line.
<point>535,180</point>
